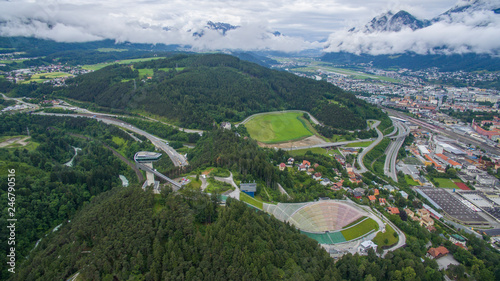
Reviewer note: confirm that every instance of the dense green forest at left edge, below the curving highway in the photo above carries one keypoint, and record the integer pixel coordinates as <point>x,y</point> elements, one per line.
<point>48,192</point>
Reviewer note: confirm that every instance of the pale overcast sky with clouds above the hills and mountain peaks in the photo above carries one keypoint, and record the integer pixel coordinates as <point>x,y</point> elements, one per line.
<point>303,22</point>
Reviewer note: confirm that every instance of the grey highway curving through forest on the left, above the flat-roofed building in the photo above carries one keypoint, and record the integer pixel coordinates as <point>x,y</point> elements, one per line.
<point>178,159</point>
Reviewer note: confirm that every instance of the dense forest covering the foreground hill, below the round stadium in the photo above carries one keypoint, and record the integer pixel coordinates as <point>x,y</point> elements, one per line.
<point>129,234</point>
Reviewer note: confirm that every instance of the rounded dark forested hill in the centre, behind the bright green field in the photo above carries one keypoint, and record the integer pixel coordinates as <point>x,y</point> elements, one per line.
<point>196,90</point>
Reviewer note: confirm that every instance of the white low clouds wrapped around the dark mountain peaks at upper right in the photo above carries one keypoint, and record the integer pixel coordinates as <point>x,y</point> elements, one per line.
<point>469,27</point>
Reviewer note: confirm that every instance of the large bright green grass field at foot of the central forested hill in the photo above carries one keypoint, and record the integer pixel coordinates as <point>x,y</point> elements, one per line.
<point>278,127</point>
